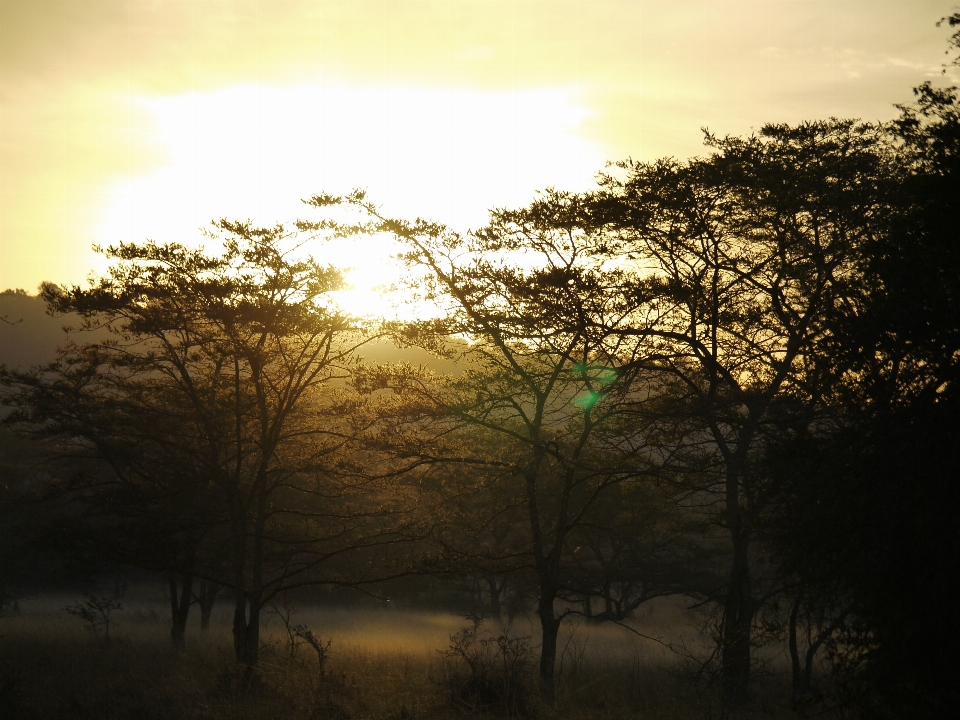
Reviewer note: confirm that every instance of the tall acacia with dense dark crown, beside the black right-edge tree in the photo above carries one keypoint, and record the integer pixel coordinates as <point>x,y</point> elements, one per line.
<point>746,256</point>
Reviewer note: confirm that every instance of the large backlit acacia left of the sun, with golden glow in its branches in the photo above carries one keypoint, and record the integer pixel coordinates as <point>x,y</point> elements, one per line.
<point>237,350</point>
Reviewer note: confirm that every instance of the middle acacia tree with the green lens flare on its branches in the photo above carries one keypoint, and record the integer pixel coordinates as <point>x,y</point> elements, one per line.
<point>538,406</point>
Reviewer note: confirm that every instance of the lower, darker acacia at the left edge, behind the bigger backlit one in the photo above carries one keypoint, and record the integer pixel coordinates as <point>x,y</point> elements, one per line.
<point>144,499</point>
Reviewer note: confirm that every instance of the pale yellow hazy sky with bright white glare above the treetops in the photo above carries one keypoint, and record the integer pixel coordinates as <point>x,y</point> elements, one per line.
<point>136,119</point>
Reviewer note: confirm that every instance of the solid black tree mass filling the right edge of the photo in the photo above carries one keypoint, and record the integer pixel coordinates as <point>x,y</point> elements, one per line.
<point>864,511</point>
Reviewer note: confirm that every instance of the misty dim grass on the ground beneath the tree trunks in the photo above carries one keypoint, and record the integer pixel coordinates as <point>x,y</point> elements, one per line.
<point>383,665</point>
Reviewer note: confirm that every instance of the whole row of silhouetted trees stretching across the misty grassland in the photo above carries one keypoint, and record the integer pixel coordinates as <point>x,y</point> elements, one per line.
<point>732,378</point>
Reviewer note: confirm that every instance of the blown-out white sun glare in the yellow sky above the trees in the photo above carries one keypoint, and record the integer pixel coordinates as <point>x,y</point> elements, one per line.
<point>254,152</point>
